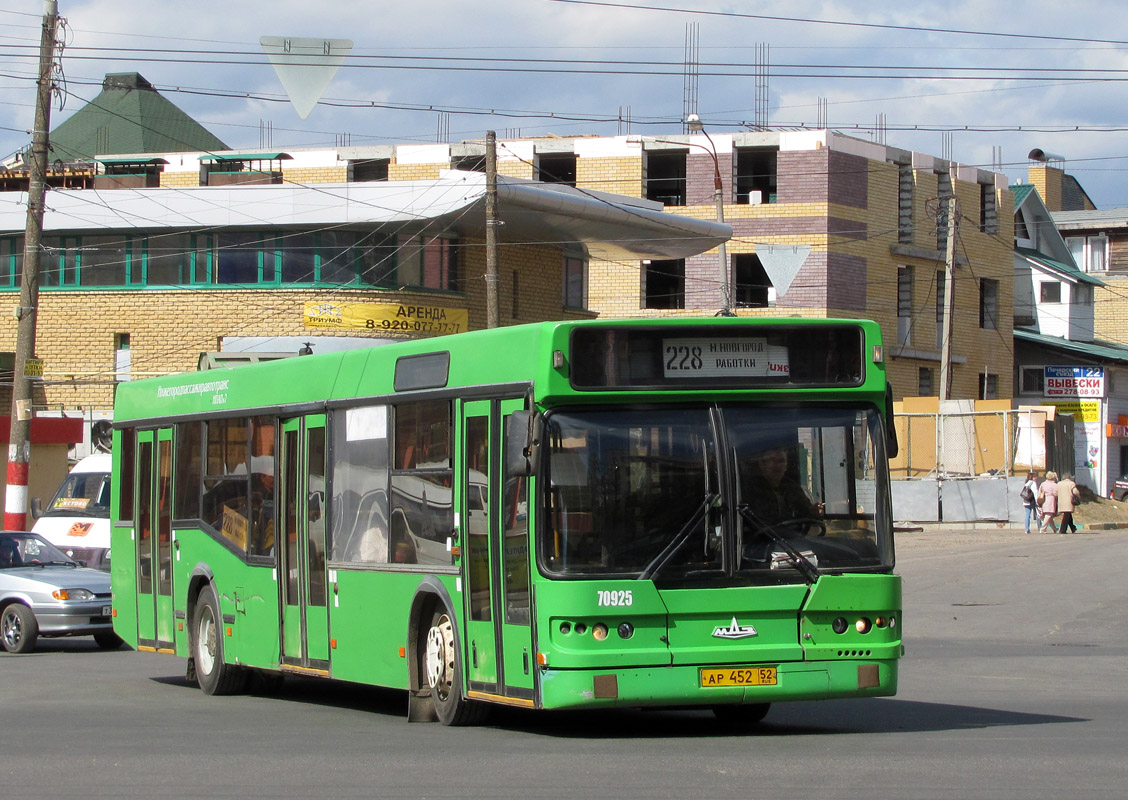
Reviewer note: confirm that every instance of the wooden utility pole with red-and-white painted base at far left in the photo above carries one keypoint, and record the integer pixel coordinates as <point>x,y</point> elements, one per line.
<point>20,447</point>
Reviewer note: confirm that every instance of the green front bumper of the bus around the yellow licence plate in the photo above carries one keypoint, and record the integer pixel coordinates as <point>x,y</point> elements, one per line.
<point>682,687</point>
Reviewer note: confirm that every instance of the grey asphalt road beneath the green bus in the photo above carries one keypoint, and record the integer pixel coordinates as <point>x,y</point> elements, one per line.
<point>1014,687</point>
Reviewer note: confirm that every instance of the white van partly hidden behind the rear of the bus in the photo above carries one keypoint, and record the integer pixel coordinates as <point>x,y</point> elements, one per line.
<point>77,521</point>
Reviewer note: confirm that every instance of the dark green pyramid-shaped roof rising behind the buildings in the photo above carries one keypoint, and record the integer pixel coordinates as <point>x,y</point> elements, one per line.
<point>129,117</point>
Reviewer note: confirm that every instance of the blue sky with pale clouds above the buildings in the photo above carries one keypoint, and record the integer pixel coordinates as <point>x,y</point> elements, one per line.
<point>981,82</point>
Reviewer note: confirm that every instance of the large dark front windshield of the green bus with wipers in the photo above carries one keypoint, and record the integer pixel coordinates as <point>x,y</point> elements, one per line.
<point>722,493</point>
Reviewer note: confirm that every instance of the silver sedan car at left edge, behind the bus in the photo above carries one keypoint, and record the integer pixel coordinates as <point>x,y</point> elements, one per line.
<point>46,594</point>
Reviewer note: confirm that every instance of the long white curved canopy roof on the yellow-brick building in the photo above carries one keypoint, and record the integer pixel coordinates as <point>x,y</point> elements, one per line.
<point>610,226</point>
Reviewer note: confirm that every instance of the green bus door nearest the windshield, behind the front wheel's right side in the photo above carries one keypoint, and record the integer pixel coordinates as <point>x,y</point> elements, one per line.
<point>495,525</point>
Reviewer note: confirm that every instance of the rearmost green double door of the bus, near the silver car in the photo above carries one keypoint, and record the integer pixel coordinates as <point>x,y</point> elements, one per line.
<point>153,504</point>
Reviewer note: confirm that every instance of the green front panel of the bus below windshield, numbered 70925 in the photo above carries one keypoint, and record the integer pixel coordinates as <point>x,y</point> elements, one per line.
<point>658,643</point>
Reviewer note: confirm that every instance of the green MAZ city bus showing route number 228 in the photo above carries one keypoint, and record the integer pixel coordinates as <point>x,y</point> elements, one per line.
<point>690,513</point>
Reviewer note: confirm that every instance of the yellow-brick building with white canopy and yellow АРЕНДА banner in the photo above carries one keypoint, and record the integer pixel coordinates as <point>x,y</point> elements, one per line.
<point>138,282</point>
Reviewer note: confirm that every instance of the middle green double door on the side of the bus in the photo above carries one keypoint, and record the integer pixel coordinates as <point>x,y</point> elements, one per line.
<point>305,632</point>
